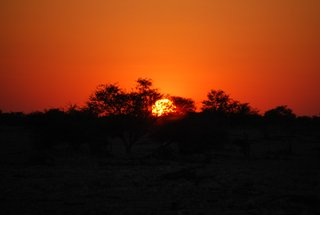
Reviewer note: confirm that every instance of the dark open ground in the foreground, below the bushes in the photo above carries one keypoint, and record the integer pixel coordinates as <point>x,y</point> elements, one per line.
<point>228,184</point>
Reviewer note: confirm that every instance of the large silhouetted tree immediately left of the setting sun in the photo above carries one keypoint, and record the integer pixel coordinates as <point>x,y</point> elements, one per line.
<point>129,112</point>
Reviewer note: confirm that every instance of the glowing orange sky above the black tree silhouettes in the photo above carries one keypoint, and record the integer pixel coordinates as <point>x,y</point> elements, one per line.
<point>54,53</point>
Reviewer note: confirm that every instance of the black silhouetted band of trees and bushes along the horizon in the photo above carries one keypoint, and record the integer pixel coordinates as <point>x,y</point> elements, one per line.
<point>112,112</point>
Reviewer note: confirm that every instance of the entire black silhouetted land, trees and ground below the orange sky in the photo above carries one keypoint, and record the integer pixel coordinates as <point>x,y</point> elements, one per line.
<point>113,156</point>
